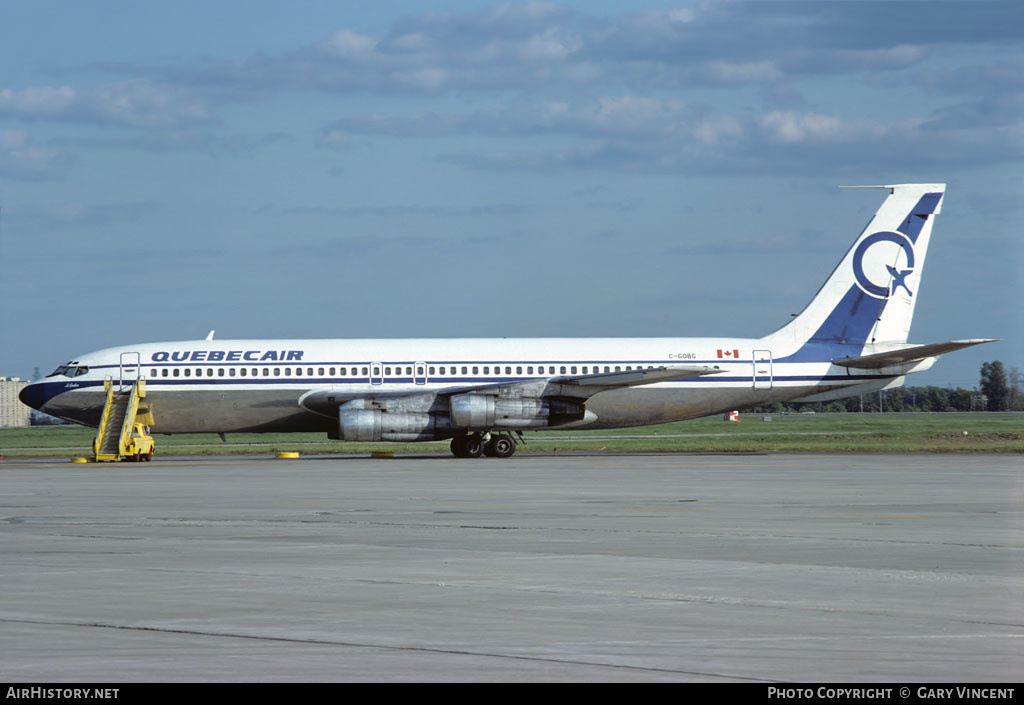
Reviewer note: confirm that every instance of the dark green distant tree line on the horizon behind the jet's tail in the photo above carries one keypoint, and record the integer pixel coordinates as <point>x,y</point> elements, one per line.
<point>998,391</point>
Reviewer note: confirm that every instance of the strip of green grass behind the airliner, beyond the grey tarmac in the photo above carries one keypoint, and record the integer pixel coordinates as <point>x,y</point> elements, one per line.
<point>794,433</point>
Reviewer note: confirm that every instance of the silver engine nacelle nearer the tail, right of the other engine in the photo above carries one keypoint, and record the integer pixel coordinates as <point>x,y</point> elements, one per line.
<point>487,411</point>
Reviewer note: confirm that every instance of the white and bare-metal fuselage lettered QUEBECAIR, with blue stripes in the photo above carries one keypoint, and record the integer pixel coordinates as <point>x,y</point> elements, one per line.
<point>258,386</point>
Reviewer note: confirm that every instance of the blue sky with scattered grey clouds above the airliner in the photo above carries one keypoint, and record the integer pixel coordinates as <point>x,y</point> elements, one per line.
<point>404,170</point>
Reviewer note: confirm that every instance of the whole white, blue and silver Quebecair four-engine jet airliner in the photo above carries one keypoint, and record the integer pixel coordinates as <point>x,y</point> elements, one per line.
<point>851,340</point>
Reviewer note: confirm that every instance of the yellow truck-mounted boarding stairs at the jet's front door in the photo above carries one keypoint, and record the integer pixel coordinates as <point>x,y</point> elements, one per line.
<point>120,436</point>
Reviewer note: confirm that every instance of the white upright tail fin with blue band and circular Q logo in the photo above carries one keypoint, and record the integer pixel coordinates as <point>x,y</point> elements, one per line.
<point>870,298</point>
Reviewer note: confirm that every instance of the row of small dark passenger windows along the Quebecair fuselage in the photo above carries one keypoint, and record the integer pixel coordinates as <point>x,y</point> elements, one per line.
<point>390,371</point>
